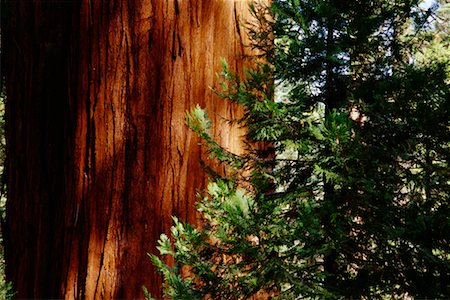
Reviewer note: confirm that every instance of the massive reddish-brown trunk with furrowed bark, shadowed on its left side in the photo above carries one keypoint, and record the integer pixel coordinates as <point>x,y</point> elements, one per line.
<point>98,156</point>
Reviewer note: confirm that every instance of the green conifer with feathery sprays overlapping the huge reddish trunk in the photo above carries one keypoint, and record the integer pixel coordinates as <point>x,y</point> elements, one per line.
<point>355,202</point>
